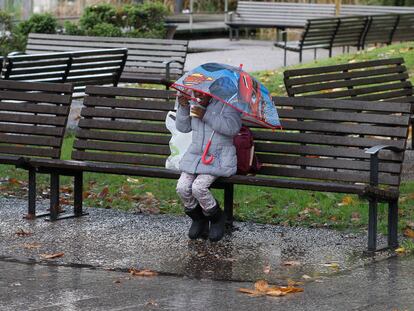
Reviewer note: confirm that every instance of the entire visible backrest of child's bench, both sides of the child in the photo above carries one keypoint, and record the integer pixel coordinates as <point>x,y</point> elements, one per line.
<point>322,140</point>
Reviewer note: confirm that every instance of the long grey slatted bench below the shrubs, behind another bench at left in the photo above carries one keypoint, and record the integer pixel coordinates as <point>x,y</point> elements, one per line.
<point>157,61</point>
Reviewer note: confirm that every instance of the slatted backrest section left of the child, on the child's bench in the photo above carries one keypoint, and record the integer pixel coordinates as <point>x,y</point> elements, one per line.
<point>124,120</point>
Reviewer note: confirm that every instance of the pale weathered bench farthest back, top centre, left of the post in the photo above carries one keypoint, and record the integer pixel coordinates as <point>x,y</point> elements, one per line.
<point>281,15</point>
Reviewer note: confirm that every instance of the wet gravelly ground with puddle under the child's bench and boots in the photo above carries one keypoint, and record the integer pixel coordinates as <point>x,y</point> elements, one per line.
<point>119,240</point>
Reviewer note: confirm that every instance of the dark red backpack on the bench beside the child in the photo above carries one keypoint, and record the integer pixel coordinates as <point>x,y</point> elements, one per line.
<point>247,162</point>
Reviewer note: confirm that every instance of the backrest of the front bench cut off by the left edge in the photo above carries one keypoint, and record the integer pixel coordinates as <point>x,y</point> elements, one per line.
<point>33,118</point>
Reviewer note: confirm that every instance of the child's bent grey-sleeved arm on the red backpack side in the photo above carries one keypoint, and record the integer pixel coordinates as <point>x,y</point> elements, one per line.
<point>228,122</point>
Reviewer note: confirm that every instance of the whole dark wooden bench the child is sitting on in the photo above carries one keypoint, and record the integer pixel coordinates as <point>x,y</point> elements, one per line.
<point>122,131</point>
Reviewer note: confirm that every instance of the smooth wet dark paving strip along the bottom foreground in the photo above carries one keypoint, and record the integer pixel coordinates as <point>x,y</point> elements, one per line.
<point>386,285</point>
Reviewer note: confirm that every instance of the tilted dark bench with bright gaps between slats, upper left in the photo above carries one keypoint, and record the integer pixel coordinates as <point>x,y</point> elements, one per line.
<point>81,68</point>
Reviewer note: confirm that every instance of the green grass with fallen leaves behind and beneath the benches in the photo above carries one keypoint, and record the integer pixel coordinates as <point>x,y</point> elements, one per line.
<point>258,204</point>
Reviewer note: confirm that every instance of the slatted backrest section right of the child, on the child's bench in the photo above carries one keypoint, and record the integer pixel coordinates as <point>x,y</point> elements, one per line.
<point>324,139</point>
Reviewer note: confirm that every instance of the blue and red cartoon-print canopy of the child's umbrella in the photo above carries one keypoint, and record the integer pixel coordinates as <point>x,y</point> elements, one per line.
<point>234,87</point>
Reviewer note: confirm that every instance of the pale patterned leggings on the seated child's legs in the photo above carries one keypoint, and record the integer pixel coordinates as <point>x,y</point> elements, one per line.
<point>193,189</point>
